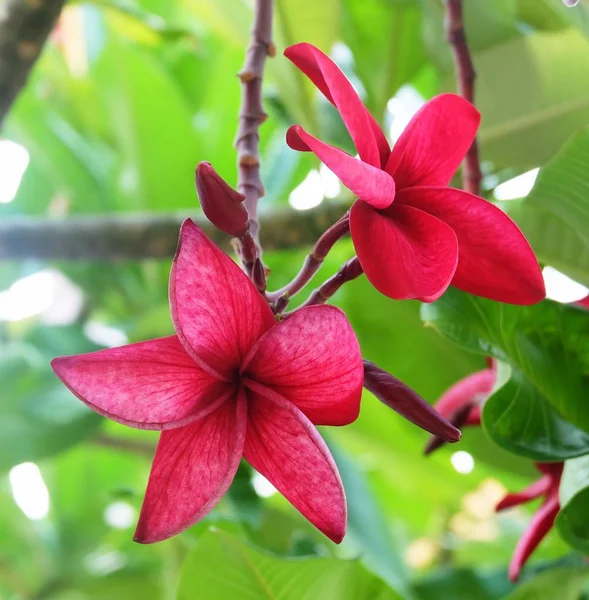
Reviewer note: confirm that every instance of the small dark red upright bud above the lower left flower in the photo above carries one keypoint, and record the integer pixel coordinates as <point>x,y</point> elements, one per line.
<point>222,205</point>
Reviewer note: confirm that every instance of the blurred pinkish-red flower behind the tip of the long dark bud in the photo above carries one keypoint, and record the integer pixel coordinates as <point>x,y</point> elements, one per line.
<point>462,403</point>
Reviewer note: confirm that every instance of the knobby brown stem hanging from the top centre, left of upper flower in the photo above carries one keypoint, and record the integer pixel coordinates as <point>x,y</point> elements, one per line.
<point>252,113</point>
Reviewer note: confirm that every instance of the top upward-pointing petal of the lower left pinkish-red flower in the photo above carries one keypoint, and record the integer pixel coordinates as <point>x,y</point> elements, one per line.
<point>217,311</point>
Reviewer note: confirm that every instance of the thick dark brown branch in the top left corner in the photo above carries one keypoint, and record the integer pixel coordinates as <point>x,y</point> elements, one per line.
<point>24,27</point>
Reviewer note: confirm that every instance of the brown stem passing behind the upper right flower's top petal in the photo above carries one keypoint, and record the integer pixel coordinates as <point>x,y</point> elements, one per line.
<point>465,78</point>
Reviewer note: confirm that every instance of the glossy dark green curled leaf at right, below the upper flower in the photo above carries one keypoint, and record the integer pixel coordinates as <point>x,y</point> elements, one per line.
<point>548,384</point>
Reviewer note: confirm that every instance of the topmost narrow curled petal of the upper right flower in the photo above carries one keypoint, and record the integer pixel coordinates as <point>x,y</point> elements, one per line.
<point>368,137</point>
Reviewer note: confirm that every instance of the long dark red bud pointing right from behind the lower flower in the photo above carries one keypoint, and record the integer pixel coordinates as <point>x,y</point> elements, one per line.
<point>402,399</point>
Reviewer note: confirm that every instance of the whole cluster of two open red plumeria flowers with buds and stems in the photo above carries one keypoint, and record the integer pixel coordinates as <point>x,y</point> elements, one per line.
<point>242,379</point>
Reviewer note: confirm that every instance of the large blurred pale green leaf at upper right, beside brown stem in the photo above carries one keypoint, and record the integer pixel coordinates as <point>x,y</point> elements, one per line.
<point>548,97</point>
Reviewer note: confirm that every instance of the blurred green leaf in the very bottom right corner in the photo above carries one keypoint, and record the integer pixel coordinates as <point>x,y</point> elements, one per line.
<point>563,583</point>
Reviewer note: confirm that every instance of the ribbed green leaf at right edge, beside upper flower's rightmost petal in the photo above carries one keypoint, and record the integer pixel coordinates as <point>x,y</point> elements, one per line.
<point>555,215</point>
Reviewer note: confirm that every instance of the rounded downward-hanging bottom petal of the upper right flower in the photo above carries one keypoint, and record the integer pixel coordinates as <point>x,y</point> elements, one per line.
<point>404,252</point>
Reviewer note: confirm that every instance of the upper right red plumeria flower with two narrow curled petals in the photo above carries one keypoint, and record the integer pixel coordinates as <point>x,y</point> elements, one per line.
<point>414,236</point>
